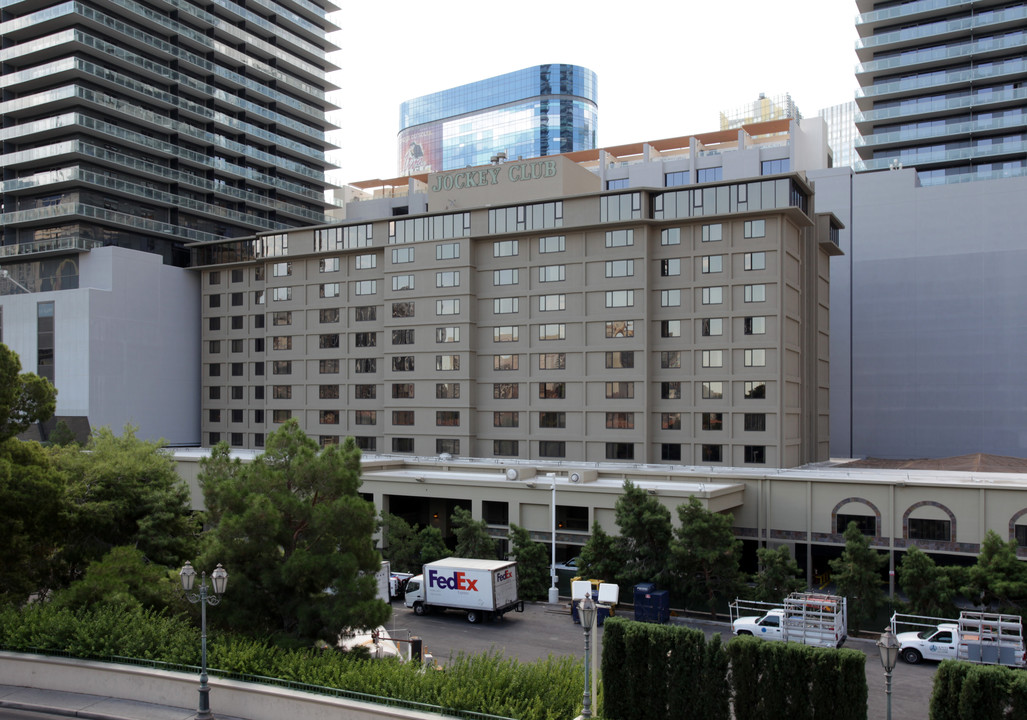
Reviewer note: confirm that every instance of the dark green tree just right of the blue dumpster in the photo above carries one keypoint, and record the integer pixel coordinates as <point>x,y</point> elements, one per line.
<point>705,555</point>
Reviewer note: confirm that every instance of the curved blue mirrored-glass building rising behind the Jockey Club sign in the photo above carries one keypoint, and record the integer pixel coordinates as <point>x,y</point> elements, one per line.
<point>543,110</point>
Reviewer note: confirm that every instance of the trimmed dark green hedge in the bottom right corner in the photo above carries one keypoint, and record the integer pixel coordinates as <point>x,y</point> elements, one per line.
<point>966,692</point>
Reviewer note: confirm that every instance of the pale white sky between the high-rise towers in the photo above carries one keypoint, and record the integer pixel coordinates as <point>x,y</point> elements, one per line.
<point>665,69</point>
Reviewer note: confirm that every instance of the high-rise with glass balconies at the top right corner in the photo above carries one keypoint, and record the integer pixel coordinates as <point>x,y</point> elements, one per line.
<point>943,88</point>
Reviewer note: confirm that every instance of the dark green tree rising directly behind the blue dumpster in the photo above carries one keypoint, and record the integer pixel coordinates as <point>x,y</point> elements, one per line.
<point>645,536</point>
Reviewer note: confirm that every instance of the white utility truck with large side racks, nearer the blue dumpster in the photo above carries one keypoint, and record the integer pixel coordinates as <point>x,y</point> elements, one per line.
<point>811,619</point>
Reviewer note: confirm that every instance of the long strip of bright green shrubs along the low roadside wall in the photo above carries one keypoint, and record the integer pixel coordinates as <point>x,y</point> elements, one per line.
<point>549,690</point>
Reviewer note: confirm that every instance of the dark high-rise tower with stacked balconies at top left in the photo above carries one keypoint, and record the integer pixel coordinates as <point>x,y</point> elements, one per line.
<point>154,126</point>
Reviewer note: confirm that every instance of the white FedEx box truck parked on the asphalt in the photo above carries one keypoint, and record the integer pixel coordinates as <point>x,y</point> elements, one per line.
<point>483,589</point>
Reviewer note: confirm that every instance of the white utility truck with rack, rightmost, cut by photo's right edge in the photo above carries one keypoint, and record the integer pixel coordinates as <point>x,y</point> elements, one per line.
<point>985,638</point>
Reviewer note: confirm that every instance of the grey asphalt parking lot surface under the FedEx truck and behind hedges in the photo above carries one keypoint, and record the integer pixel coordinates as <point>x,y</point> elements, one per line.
<point>542,631</point>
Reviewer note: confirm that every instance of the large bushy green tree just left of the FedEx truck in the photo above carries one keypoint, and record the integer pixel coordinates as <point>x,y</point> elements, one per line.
<point>295,538</point>
